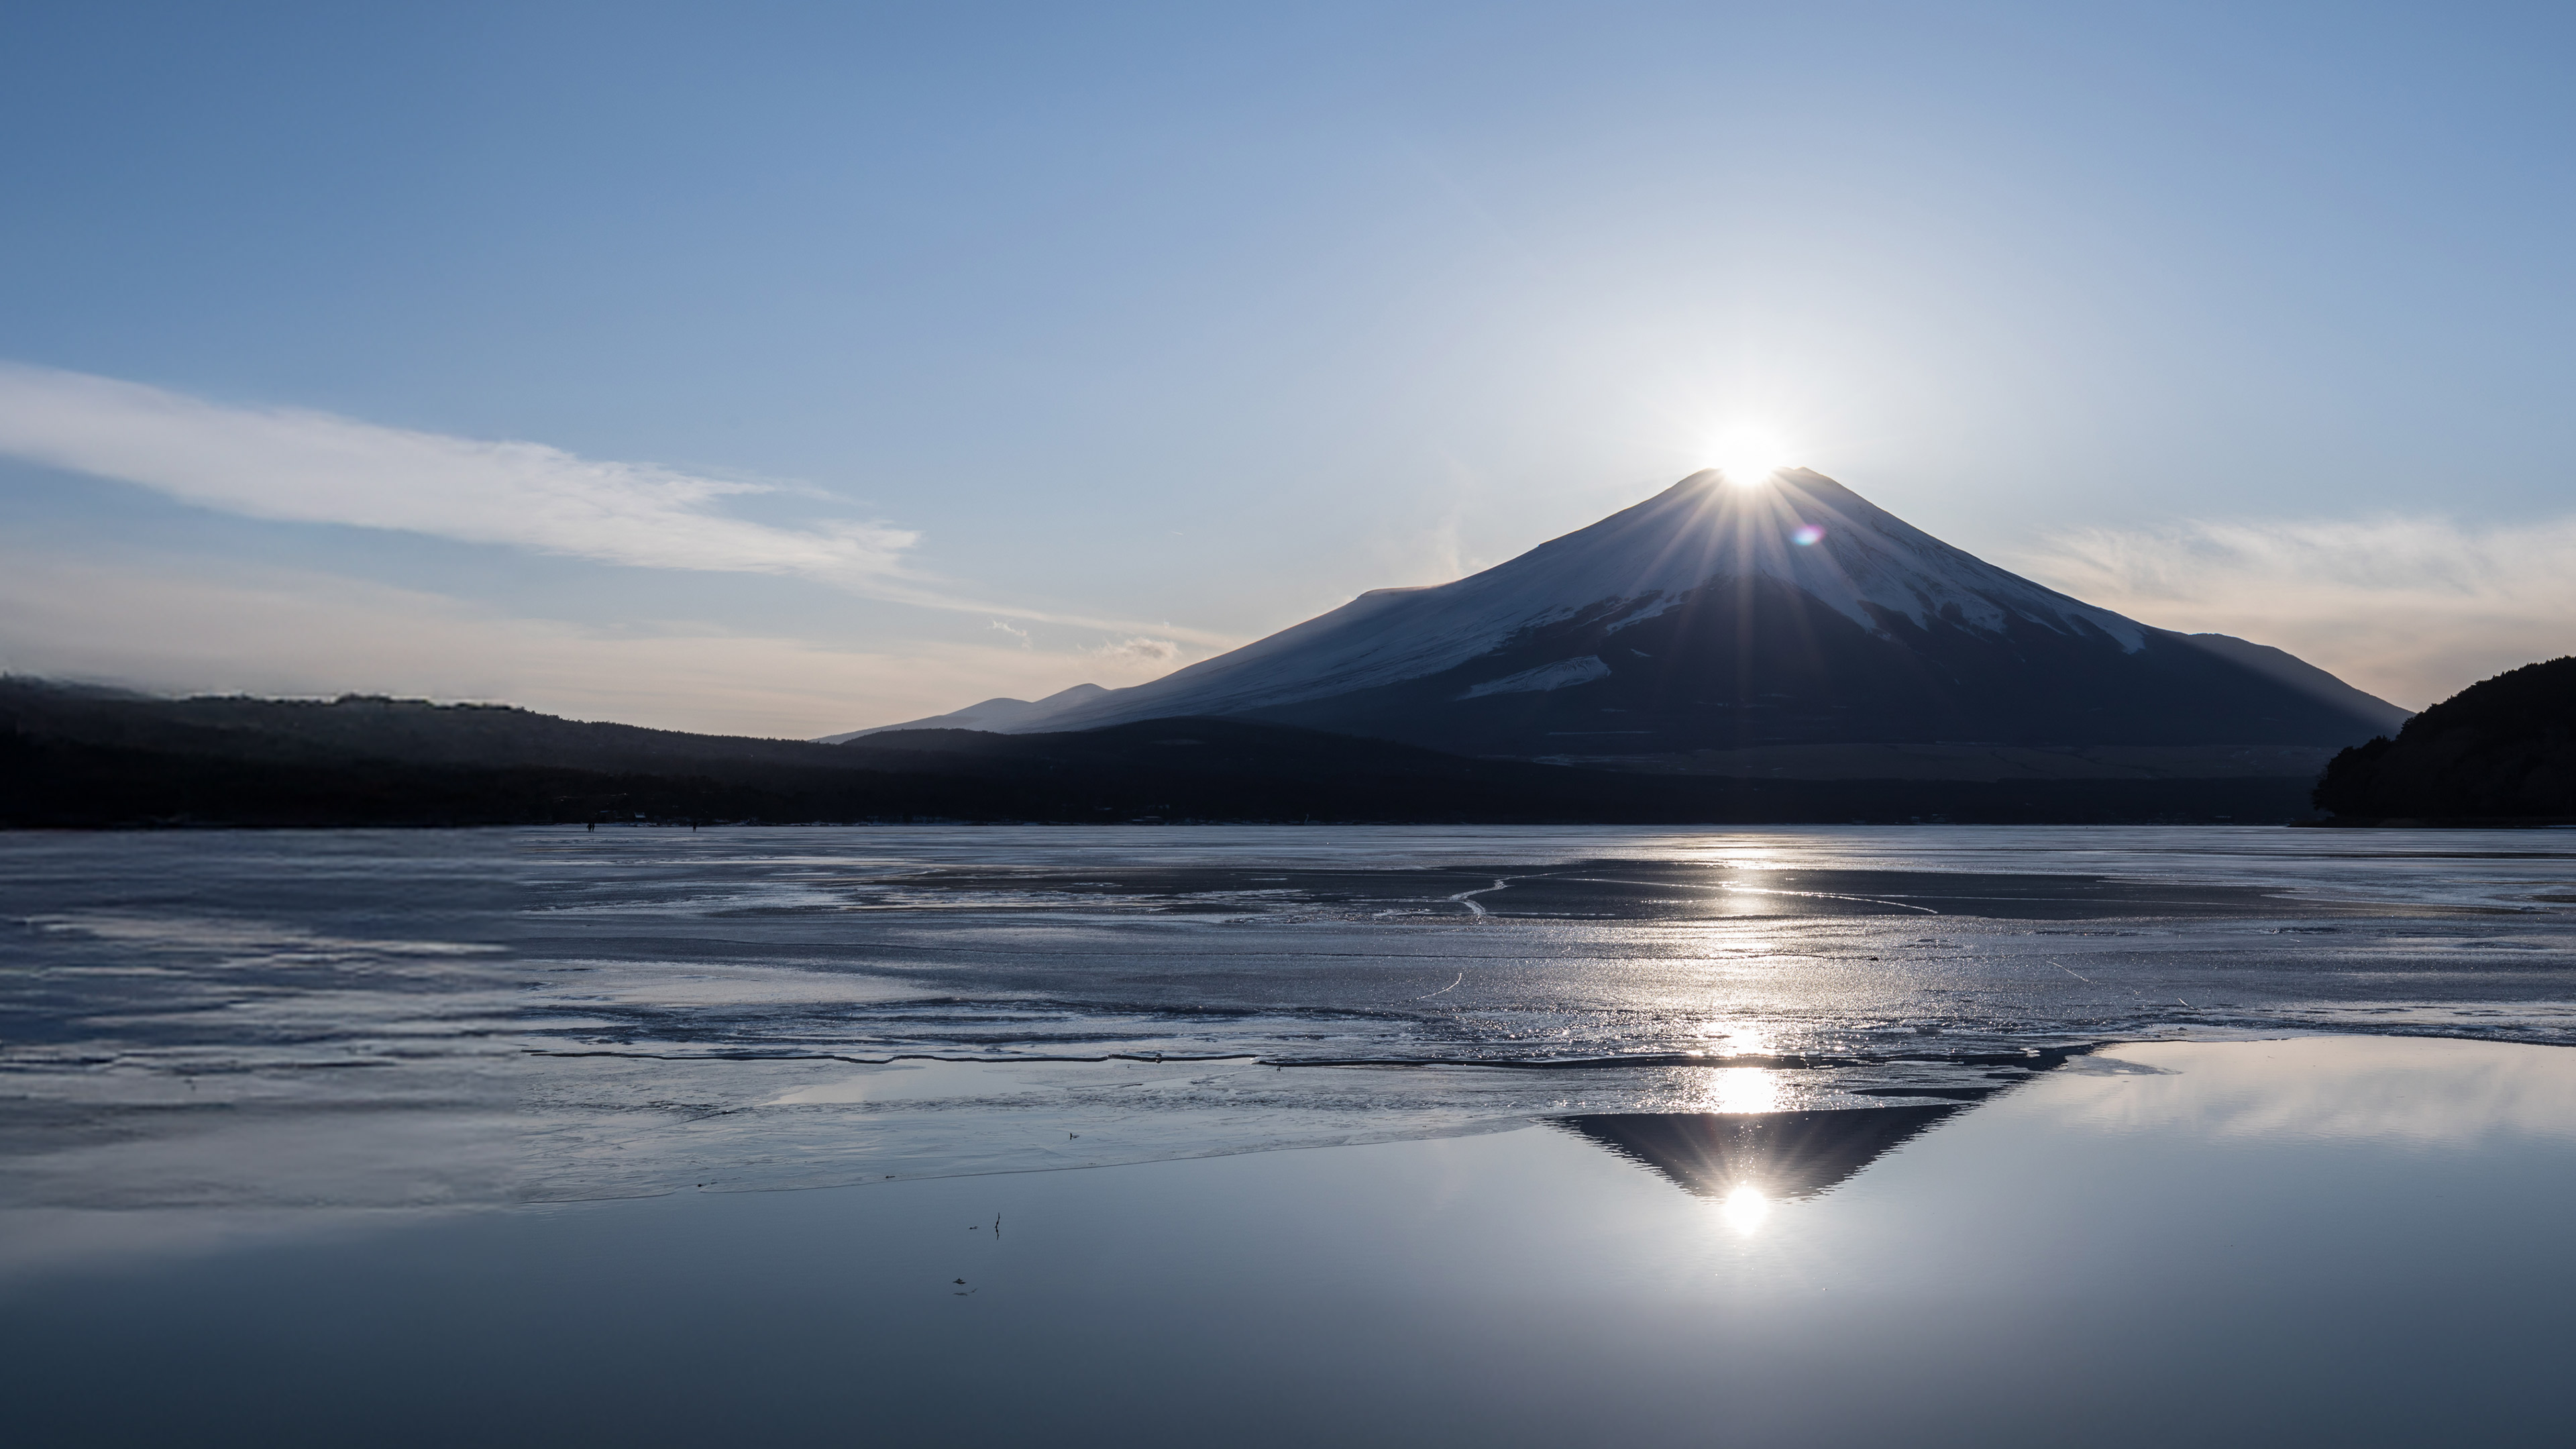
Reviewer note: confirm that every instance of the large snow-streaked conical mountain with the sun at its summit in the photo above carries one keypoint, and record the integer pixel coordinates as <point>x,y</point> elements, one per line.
<point>1717,620</point>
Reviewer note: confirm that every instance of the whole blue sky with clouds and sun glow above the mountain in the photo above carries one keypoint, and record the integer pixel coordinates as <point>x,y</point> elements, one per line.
<point>805,367</point>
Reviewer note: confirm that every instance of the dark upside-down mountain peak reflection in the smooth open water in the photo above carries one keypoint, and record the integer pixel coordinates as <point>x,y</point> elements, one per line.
<point>1776,1154</point>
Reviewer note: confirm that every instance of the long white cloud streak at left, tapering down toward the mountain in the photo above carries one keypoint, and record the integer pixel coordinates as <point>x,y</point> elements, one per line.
<point>318,468</point>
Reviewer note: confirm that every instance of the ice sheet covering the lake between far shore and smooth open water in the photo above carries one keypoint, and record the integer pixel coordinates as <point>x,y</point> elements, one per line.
<point>372,1020</point>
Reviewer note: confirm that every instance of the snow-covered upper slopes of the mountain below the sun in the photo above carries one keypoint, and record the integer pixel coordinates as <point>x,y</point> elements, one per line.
<point>1864,563</point>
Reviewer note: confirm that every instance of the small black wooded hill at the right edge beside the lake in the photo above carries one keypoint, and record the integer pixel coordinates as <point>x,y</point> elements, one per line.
<point>2497,749</point>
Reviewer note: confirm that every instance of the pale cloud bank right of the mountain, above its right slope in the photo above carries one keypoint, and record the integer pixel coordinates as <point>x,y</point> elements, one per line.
<point>2410,610</point>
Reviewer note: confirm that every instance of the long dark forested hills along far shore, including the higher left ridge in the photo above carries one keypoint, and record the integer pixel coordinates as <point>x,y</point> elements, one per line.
<point>89,759</point>
